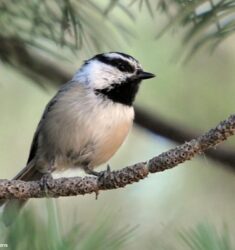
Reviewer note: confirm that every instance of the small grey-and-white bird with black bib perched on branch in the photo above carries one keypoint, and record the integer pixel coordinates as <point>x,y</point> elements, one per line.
<point>87,120</point>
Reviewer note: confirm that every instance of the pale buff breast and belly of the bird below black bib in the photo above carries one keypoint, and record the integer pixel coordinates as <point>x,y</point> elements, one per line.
<point>87,126</point>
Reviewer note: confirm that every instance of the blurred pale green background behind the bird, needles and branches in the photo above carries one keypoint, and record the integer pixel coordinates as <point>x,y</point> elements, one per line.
<point>195,95</point>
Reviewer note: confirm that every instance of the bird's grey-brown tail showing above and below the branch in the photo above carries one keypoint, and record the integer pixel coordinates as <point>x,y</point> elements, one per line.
<point>12,207</point>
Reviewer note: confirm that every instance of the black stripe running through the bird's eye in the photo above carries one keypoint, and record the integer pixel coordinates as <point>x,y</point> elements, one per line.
<point>119,63</point>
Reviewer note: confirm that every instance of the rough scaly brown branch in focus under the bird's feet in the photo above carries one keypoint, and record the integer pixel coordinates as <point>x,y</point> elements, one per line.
<point>17,189</point>
